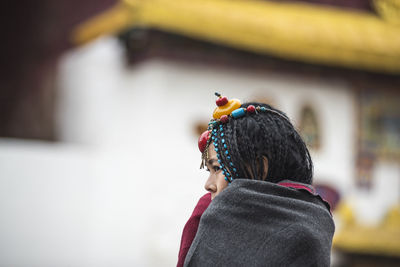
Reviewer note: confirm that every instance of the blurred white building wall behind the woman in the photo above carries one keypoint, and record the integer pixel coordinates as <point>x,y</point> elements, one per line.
<point>119,188</point>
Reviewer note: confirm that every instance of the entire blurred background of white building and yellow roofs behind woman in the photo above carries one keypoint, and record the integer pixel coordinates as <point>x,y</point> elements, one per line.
<point>102,102</point>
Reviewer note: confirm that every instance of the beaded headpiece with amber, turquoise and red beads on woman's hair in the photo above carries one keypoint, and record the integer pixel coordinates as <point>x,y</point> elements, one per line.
<point>225,111</point>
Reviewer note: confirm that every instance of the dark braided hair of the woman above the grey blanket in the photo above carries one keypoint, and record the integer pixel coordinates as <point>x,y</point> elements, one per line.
<point>254,137</point>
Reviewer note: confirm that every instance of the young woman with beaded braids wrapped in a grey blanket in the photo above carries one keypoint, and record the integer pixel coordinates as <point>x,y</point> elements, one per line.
<point>264,211</point>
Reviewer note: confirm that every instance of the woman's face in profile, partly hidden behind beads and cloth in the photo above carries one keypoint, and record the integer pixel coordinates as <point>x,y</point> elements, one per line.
<point>216,180</point>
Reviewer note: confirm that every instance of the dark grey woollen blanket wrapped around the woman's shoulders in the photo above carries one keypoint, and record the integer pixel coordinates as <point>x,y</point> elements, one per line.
<point>257,223</point>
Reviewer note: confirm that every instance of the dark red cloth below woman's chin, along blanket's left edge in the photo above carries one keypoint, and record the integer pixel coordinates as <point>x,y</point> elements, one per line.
<point>190,229</point>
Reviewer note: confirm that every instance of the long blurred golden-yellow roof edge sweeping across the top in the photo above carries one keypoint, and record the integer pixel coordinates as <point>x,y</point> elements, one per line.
<point>295,31</point>
